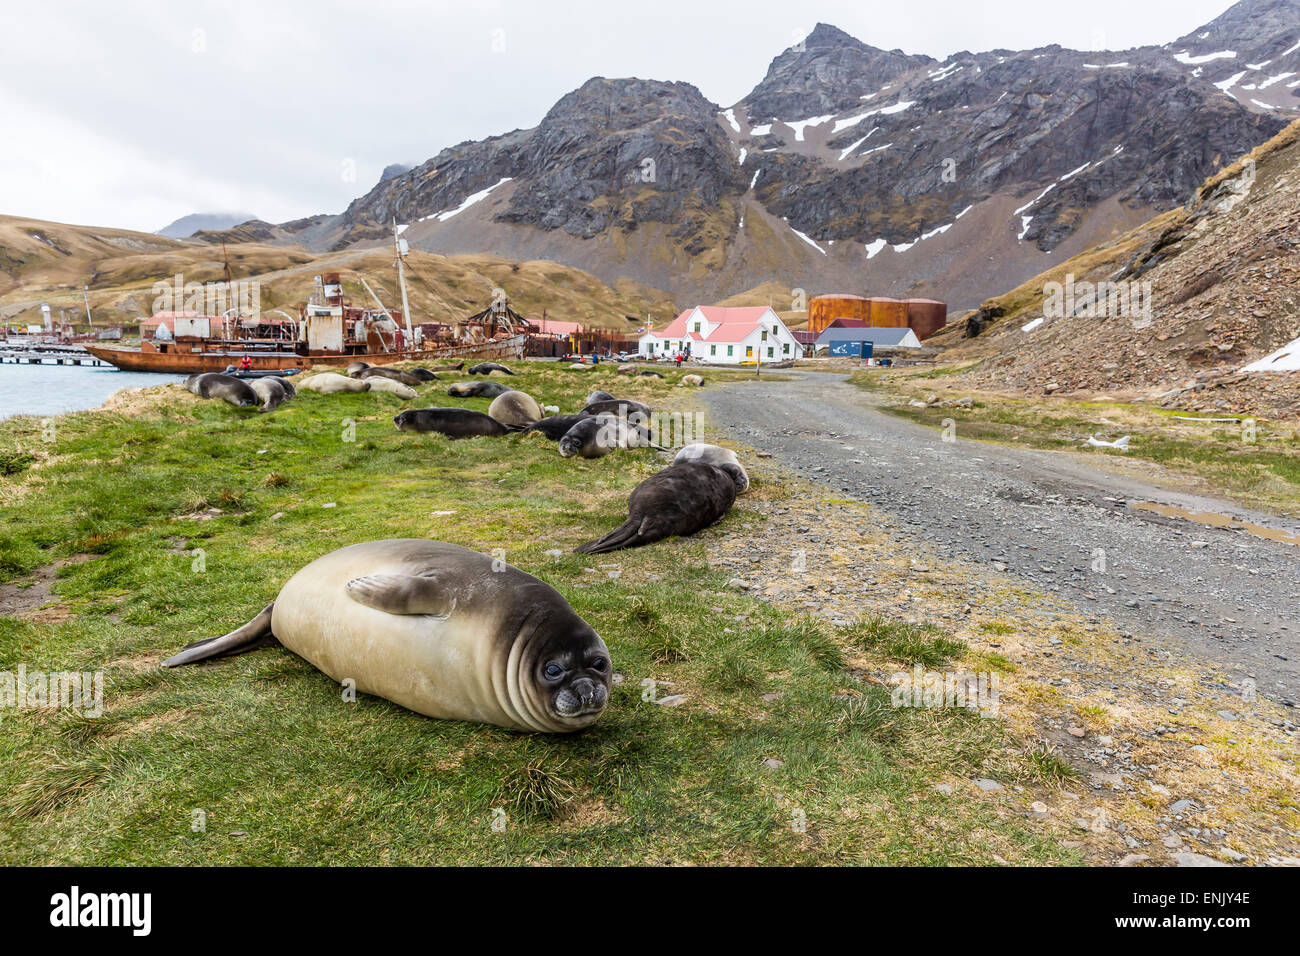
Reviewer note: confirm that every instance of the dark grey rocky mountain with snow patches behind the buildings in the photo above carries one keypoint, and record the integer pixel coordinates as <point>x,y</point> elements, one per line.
<point>855,168</point>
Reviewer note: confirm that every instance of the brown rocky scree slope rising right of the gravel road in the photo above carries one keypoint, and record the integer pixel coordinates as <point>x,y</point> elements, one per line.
<point>1224,282</point>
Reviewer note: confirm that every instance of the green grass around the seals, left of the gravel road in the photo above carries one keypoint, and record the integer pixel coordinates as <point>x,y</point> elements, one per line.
<point>265,750</point>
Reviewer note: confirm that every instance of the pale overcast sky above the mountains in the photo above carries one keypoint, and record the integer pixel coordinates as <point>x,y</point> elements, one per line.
<point>136,113</point>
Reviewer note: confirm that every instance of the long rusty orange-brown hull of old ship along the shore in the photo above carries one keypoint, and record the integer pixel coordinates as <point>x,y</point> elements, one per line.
<point>218,361</point>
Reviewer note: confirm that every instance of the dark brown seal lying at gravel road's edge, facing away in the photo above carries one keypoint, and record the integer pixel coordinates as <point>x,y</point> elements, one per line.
<point>681,500</point>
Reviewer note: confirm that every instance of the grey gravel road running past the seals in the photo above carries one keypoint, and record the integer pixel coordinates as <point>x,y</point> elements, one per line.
<point>1228,598</point>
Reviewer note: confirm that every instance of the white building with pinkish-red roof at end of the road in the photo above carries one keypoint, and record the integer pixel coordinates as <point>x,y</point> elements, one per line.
<point>723,336</point>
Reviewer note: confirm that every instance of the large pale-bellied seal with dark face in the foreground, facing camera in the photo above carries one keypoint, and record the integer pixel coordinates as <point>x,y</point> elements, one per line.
<point>440,630</point>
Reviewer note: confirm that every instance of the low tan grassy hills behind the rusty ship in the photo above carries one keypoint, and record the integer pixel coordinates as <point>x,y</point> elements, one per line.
<point>50,263</point>
